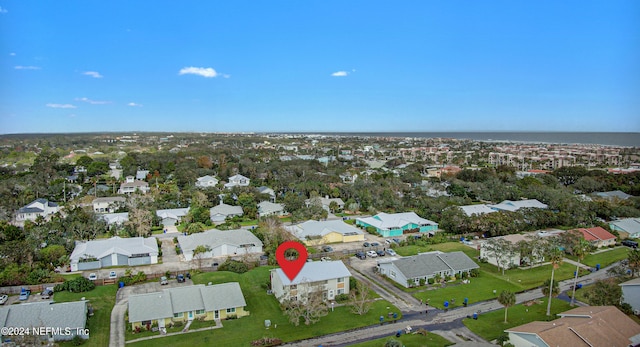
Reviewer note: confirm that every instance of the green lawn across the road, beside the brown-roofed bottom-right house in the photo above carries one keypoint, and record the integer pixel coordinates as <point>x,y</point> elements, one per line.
<point>490,325</point>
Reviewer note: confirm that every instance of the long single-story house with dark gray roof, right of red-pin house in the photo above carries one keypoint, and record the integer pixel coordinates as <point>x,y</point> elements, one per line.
<point>409,271</point>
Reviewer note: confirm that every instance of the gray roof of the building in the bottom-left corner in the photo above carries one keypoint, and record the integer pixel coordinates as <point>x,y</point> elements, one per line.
<point>45,314</point>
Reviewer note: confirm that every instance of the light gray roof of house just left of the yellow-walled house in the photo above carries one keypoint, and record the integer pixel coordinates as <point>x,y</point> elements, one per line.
<point>215,238</point>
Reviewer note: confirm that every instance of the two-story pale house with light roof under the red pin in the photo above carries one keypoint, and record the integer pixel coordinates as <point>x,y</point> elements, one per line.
<point>331,278</point>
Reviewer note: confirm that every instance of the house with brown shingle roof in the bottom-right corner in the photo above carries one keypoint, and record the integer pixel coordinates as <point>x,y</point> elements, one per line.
<point>583,326</point>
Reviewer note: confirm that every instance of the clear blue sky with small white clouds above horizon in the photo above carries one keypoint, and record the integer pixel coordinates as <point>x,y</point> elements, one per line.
<point>75,66</point>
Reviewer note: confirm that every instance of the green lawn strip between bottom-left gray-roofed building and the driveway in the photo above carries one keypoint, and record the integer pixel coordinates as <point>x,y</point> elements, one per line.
<point>102,299</point>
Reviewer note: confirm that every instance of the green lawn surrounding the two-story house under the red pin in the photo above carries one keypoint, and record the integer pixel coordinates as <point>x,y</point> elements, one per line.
<point>240,332</point>
